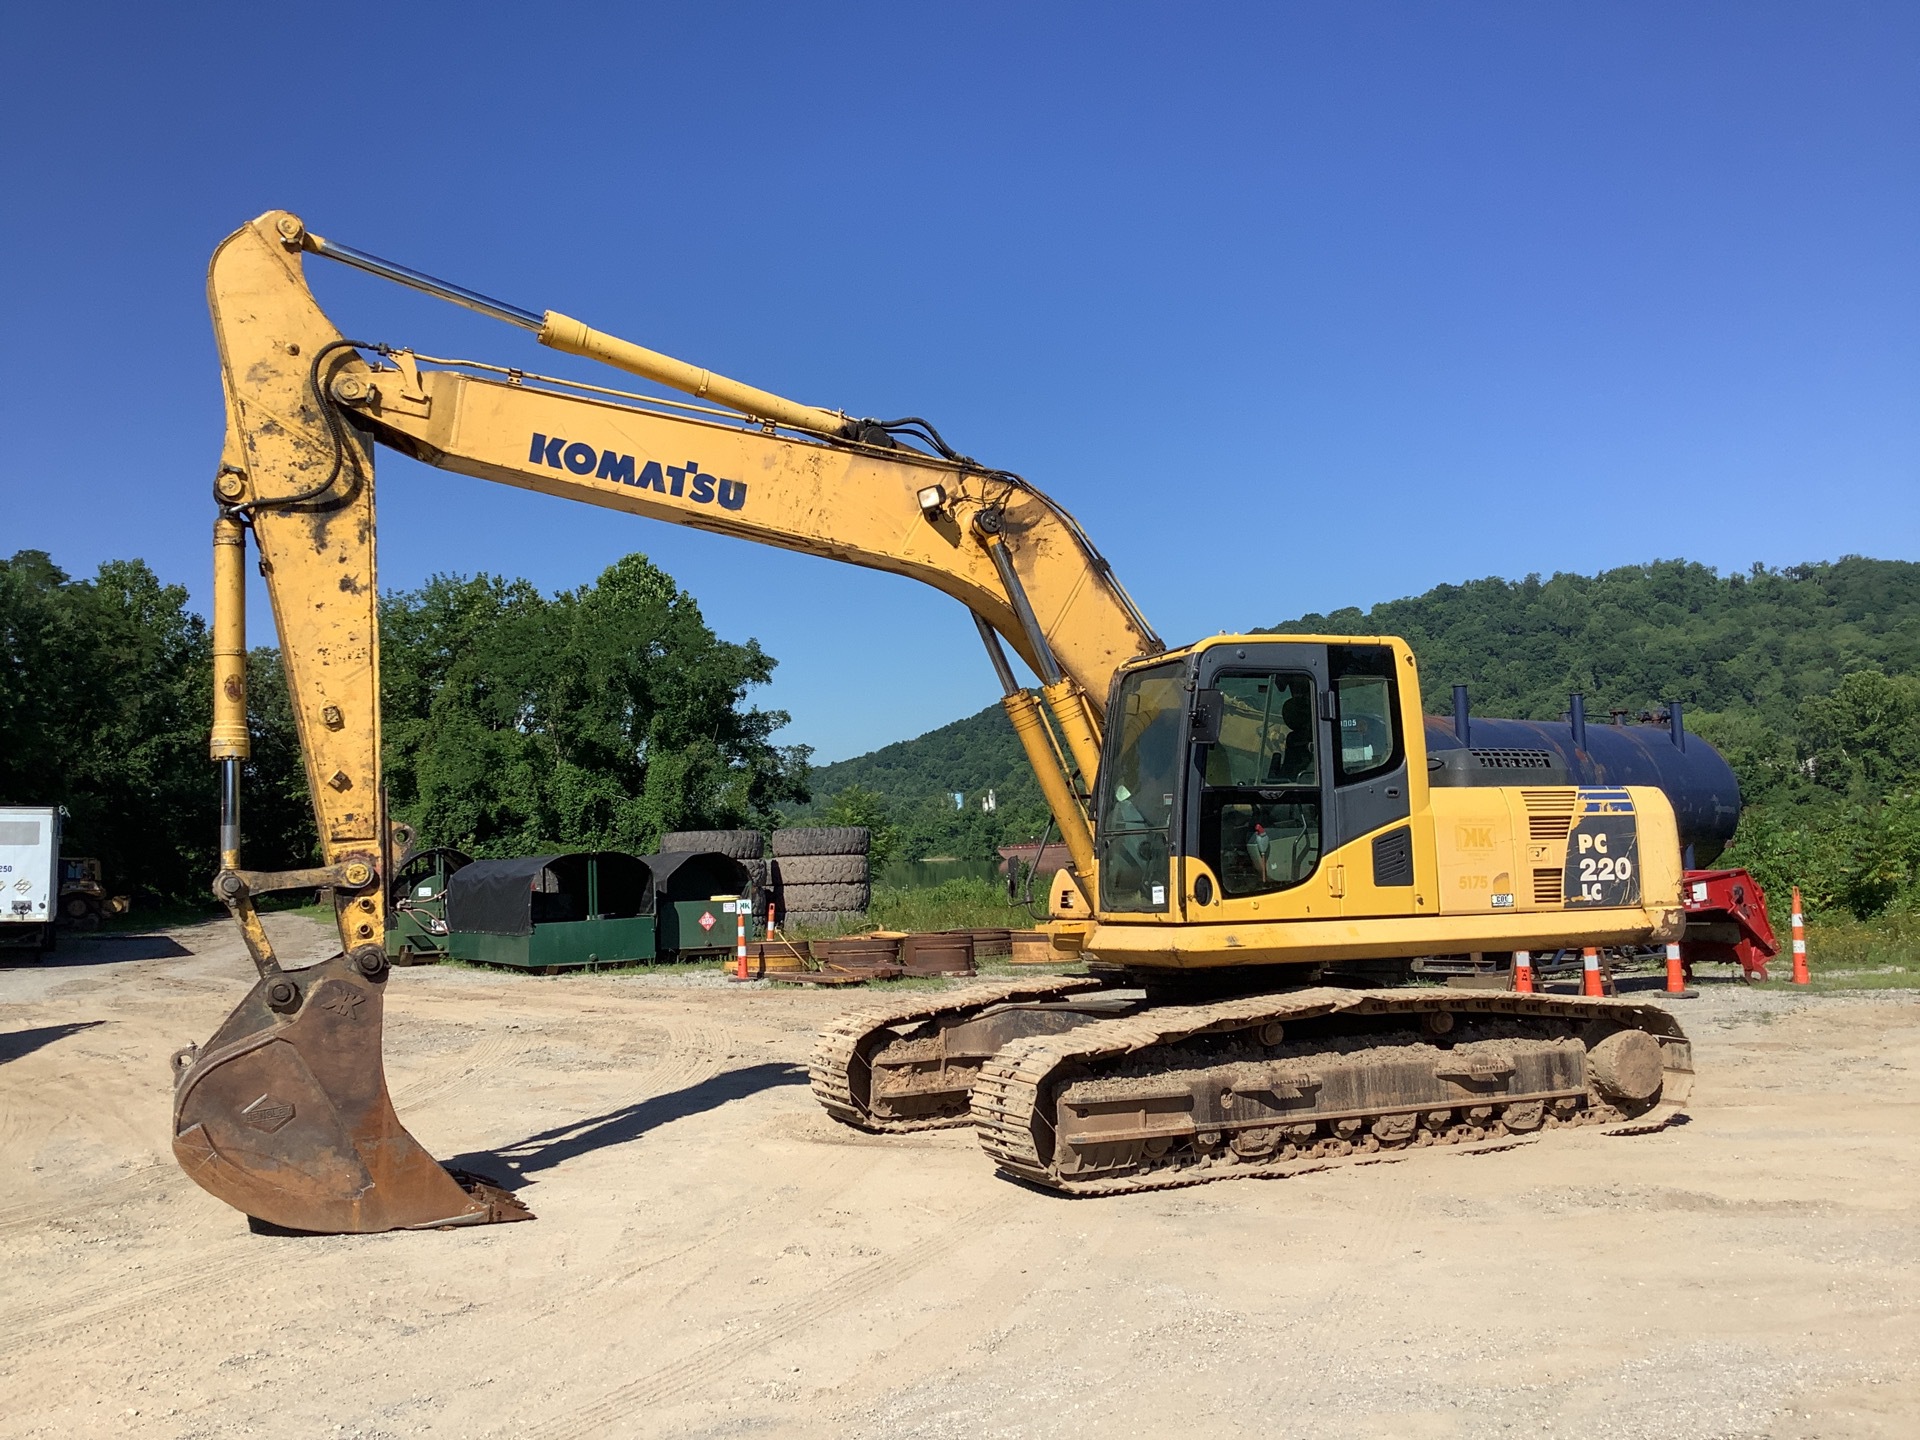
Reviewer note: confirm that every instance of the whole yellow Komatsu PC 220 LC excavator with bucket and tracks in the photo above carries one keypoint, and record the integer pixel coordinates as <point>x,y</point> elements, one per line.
<point>1251,819</point>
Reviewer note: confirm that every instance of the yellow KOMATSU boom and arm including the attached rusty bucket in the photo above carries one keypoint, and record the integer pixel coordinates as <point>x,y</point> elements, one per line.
<point>285,1113</point>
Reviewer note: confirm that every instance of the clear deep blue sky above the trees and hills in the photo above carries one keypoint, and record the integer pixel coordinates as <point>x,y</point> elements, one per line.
<point>1293,306</point>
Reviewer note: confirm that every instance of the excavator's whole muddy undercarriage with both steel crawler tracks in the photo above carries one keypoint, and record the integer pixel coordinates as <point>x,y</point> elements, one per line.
<point>1086,1090</point>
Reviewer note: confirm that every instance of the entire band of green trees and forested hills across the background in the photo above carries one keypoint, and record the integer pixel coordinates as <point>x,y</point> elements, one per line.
<point>600,717</point>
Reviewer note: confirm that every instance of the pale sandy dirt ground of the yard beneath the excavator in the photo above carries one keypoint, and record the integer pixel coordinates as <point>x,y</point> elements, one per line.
<point>715,1259</point>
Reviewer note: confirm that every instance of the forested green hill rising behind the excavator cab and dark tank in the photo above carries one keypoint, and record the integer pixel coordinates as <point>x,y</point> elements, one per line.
<point>1808,679</point>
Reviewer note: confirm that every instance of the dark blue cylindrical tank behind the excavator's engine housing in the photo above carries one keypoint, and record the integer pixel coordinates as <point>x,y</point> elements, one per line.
<point>1660,752</point>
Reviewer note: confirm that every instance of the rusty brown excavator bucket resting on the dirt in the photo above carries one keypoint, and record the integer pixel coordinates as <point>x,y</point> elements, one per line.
<point>287,1118</point>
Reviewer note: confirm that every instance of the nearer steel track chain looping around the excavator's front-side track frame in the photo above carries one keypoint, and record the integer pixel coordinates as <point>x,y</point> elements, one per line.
<point>1009,1093</point>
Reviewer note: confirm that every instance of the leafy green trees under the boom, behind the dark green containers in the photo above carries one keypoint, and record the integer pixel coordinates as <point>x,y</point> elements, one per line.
<point>600,717</point>
